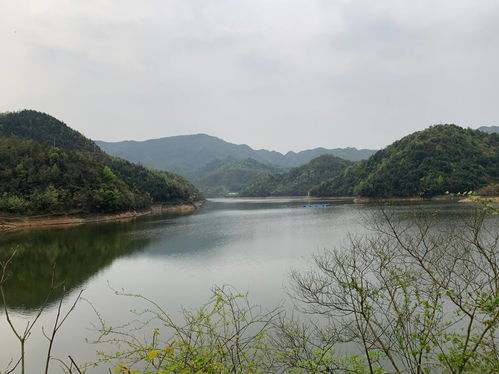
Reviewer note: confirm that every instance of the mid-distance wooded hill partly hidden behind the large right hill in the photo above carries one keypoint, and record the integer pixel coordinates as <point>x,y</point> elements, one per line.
<point>299,180</point>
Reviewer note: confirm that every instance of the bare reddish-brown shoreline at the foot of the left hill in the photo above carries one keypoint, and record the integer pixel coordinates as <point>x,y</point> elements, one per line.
<point>28,223</point>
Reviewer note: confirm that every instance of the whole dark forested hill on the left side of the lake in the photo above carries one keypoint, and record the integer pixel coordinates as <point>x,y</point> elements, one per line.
<point>74,176</point>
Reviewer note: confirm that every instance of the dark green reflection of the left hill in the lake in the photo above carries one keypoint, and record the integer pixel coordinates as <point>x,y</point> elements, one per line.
<point>78,253</point>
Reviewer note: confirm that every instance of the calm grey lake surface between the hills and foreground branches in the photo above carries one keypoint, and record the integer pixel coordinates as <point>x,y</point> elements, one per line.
<point>175,261</point>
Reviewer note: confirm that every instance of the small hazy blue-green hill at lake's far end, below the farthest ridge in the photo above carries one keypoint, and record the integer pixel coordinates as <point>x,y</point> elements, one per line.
<point>220,177</point>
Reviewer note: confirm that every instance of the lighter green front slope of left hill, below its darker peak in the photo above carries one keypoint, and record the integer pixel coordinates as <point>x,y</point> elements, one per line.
<point>38,178</point>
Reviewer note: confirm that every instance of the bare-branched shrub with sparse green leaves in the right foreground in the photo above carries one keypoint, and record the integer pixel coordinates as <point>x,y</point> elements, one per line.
<point>413,297</point>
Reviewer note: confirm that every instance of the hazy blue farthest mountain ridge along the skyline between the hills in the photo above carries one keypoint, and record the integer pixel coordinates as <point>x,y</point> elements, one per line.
<point>186,154</point>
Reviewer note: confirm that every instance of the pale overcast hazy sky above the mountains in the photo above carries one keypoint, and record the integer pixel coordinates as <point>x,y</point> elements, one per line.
<point>275,74</point>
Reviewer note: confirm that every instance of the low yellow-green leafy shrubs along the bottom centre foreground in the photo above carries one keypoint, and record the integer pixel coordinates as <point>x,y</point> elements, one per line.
<point>225,335</point>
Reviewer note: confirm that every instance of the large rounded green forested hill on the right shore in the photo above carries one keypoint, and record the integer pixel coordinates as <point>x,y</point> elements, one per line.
<point>426,163</point>
